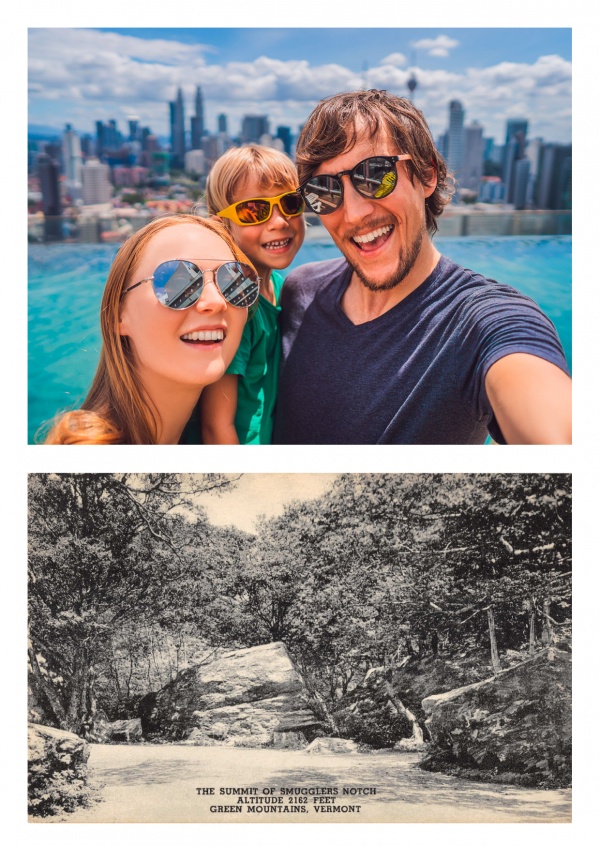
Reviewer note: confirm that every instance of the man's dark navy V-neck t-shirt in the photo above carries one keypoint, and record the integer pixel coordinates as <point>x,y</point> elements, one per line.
<point>414,375</point>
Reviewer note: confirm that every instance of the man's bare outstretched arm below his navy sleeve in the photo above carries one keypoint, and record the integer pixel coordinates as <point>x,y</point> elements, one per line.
<point>531,399</point>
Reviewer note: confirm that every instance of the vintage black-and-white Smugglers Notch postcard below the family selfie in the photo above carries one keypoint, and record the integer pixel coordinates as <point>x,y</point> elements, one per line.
<point>300,648</point>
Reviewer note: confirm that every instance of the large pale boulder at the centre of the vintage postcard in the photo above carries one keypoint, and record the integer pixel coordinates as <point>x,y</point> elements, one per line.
<point>247,697</point>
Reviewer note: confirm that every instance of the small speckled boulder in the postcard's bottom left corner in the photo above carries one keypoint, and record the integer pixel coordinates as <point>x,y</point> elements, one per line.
<point>57,770</point>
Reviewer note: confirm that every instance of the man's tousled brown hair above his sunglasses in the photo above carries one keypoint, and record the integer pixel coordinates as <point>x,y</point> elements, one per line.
<point>339,122</point>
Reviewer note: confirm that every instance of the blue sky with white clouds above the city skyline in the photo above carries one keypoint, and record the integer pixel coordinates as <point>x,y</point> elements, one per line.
<point>87,74</point>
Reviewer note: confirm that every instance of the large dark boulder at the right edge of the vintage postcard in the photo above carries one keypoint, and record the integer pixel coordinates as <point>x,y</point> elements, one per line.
<point>514,727</point>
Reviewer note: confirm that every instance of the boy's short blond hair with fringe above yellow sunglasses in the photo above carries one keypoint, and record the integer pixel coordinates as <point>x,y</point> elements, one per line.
<point>271,168</point>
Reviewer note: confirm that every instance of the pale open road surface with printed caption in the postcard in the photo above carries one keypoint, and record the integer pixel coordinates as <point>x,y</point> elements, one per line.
<point>145,783</point>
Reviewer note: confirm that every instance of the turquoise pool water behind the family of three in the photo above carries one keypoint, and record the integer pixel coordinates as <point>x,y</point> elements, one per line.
<point>66,284</point>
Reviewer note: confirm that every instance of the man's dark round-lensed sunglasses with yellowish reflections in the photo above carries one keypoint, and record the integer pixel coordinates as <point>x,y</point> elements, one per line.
<point>375,178</point>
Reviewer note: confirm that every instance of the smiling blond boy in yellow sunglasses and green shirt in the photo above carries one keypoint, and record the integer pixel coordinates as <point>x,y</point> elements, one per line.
<point>253,190</point>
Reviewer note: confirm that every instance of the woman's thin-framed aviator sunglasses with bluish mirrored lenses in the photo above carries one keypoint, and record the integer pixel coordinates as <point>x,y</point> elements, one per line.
<point>179,283</point>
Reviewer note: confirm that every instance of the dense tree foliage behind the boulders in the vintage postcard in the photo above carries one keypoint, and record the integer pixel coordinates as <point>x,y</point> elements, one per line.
<point>129,582</point>
